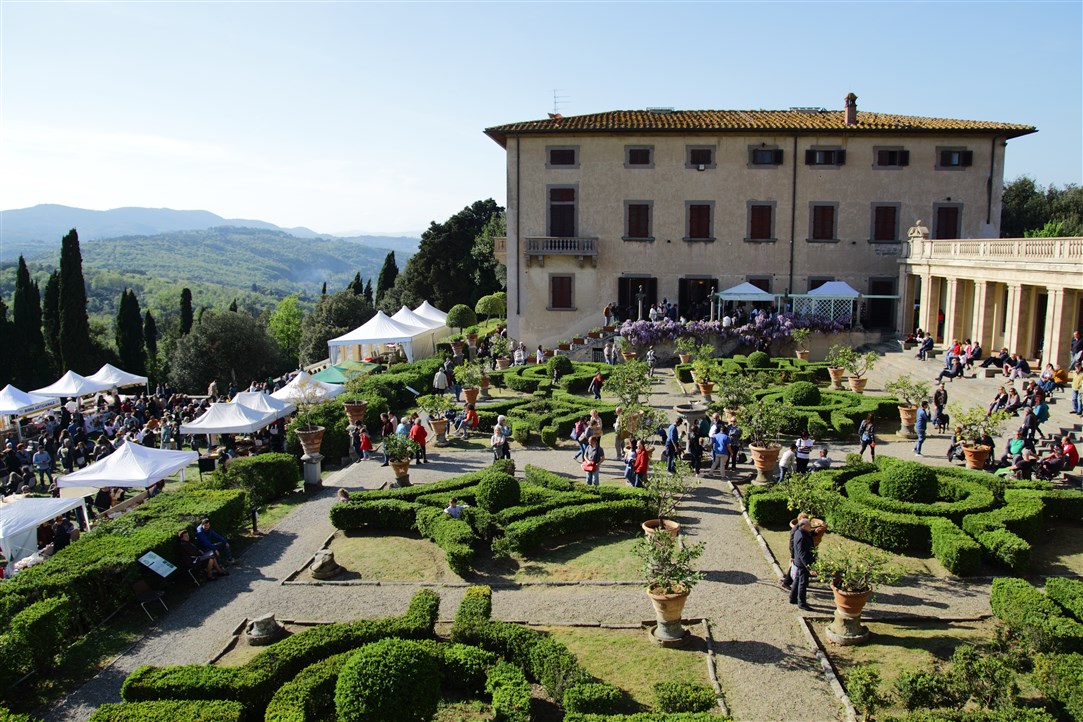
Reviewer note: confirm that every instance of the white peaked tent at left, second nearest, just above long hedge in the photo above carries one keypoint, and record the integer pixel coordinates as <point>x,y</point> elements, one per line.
<point>132,466</point>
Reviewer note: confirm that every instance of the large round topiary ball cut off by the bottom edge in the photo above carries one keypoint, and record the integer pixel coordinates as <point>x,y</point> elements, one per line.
<point>393,680</point>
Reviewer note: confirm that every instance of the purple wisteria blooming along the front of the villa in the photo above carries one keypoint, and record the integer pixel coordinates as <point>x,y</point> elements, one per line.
<point>764,327</point>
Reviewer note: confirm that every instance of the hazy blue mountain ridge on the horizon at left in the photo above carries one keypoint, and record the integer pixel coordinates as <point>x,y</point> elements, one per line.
<point>35,232</point>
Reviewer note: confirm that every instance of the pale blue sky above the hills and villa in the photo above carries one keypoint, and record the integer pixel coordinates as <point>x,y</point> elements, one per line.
<point>354,116</point>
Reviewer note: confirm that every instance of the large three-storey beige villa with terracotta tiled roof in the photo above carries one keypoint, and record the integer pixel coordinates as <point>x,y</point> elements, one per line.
<point>680,204</point>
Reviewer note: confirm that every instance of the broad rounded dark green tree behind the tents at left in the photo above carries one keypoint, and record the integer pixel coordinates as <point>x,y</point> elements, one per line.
<point>225,347</point>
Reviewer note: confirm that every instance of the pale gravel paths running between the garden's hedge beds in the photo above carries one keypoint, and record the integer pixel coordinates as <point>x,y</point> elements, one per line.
<point>766,667</point>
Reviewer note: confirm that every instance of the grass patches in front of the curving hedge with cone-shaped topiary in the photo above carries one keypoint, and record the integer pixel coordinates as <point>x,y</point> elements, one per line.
<point>390,557</point>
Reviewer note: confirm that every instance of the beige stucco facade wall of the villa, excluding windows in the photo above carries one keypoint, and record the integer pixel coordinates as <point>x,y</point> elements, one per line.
<point>605,185</point>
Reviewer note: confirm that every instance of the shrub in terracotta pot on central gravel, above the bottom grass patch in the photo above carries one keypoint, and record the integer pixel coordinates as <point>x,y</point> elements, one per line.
<point>671,576</point>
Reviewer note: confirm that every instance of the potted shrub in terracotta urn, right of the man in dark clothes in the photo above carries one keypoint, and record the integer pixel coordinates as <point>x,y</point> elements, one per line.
<point>855,573</point>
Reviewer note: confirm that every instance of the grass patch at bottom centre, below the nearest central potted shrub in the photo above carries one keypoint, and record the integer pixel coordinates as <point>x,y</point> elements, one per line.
<point>629,660</point>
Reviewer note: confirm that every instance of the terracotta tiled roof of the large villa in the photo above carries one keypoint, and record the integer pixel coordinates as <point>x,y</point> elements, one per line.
<point>725,122</point>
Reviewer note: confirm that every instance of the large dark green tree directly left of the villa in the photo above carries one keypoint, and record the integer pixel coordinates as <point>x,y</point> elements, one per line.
<point>443,270</point>
